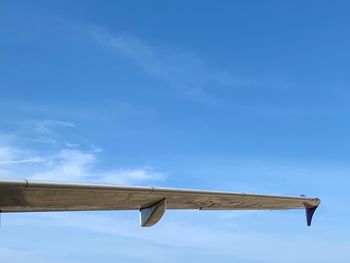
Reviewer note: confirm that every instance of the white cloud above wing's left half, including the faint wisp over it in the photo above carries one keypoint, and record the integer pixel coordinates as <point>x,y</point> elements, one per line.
<point>67,162</point>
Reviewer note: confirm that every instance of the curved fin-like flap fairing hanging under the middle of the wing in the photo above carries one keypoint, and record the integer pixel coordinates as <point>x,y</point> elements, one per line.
<point>151,215</point>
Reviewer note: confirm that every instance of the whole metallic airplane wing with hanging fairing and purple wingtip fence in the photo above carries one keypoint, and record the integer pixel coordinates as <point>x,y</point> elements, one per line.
<point>46,196</point>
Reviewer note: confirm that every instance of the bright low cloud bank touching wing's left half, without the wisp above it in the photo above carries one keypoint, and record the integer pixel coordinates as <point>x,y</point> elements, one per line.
<point>72,165</point>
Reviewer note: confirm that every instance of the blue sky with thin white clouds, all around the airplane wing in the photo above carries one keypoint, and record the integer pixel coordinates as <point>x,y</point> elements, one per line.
<point>240,96</point>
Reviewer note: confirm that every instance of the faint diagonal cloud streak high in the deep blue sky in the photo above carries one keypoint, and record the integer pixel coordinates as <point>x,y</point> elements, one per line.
<point>183,71</point>
